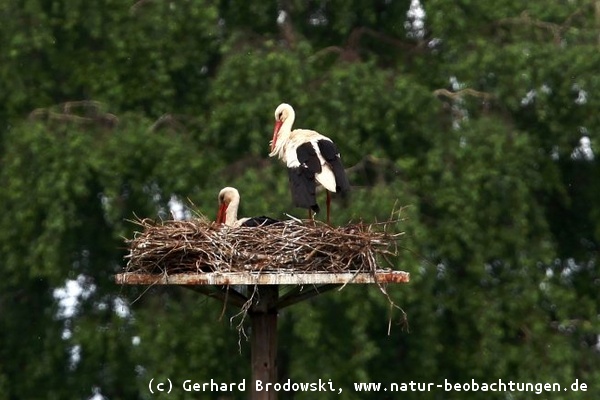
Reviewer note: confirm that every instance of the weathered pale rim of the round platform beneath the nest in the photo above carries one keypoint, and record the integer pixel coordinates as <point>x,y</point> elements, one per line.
<point>263,278</point>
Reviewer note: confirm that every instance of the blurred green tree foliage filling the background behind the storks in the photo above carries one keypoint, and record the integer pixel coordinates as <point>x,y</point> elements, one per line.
<point>476,122</point>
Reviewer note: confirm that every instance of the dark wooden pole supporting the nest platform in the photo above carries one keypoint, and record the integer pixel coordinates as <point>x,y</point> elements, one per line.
<point>263,317</point>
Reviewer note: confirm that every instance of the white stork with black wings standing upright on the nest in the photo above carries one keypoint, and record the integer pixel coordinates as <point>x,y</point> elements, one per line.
<point>311,158</point>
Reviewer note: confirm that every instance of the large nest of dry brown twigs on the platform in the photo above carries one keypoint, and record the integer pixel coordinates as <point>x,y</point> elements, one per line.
<point>198,246</point>
